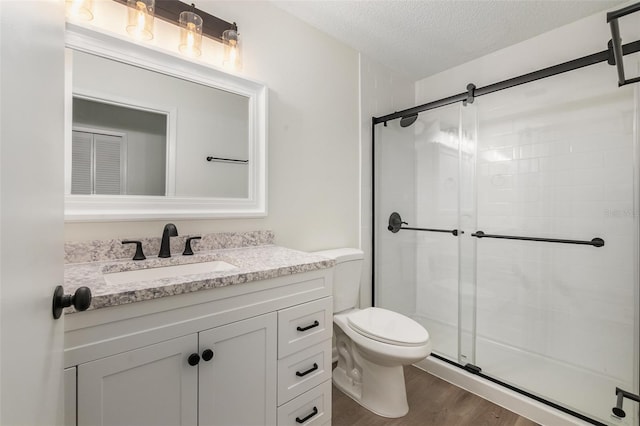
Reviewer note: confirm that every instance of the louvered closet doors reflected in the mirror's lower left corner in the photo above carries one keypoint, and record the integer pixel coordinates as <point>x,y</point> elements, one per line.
<point>96,164</point>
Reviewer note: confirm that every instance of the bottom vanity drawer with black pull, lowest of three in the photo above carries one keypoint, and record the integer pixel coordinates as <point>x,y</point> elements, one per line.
<point>314,407</point>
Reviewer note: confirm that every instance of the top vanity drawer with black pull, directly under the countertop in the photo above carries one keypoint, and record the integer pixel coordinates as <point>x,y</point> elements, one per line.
<point>304,325</point>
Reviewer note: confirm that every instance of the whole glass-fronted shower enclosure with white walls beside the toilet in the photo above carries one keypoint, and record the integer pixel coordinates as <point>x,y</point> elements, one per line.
<point>516,240</point>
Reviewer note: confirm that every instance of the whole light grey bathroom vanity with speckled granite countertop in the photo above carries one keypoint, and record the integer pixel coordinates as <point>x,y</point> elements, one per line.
<point>249,344</point>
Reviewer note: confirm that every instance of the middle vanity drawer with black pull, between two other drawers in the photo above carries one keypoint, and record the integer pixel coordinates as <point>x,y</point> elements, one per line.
<point>303,370</point>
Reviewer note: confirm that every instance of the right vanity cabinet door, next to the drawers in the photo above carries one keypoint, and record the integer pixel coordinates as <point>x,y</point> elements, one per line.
<point>238,385</point>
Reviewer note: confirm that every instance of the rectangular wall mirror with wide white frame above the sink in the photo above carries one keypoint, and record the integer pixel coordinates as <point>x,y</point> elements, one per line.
<point>152,135</point>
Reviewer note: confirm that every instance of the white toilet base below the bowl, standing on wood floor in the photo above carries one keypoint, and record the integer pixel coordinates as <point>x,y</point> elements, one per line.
<point>380,389</point>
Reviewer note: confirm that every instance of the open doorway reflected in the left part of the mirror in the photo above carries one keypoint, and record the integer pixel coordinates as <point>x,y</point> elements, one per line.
<point>117,150</point>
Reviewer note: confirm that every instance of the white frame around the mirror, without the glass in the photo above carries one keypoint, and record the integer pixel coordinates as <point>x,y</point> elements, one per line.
<point>100,208</point>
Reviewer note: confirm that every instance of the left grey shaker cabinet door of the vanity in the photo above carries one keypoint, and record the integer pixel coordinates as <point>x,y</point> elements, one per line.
<point>150,386</point>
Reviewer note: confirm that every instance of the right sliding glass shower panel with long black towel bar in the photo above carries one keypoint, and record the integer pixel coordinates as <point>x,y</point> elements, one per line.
<point>556,159</point>
